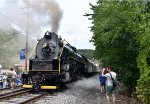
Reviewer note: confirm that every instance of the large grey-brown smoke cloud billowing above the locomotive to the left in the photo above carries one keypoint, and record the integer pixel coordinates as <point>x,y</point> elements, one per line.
<point>41,14</point>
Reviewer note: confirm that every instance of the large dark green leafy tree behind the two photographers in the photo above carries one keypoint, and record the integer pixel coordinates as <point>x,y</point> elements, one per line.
<point>115,38</point>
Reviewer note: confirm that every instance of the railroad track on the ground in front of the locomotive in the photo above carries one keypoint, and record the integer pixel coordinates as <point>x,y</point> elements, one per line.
<point>22,97</point>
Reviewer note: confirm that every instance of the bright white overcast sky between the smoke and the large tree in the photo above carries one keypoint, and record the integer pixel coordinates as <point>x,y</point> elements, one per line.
<point>73,25</point>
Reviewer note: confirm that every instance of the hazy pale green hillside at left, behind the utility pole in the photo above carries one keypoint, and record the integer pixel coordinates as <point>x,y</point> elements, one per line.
<point>8,49</point>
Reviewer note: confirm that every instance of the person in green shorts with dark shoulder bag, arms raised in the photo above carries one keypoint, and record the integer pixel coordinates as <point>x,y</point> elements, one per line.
<point>110,90</point>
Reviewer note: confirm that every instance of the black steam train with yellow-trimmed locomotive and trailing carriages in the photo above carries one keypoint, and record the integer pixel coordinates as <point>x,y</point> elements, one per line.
<point>55,62</point>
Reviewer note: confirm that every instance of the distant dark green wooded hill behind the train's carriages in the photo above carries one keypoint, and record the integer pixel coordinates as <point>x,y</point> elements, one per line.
<point>86,52</point>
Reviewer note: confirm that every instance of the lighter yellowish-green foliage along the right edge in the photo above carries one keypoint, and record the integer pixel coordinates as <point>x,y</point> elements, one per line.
<point>143,85</point>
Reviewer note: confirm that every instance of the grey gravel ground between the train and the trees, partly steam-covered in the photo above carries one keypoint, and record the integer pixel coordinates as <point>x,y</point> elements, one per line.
<point>85,91</point>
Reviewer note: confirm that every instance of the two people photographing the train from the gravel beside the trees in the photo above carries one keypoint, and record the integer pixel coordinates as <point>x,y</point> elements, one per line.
<point>107,79</point>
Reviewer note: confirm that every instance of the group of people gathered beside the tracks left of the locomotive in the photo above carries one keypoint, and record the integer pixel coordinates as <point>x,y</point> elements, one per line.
<point>11,79</point>
